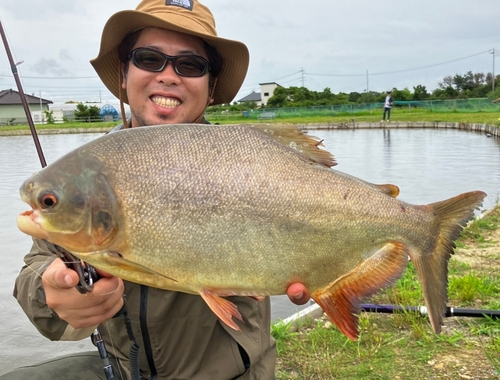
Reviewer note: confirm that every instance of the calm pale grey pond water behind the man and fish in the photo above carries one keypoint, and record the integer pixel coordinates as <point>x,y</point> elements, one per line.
<point>427,165</point>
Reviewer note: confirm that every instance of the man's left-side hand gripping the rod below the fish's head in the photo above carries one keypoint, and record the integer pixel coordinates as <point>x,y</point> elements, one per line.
<point>81,310</point>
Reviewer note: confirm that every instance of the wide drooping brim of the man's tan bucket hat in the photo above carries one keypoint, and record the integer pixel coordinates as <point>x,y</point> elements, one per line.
<point>234,53</point>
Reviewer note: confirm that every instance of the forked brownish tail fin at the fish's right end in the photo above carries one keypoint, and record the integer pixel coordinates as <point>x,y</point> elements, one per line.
<point>432,268</point>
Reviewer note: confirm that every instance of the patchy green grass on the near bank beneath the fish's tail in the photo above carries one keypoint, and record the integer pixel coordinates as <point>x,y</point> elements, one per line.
<point>402,345</point>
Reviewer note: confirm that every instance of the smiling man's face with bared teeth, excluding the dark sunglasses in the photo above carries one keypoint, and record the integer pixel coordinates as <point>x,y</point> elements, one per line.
<point>166,97</point>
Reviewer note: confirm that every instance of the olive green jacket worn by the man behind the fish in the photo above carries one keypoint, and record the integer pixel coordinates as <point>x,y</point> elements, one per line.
<point>178,335</point>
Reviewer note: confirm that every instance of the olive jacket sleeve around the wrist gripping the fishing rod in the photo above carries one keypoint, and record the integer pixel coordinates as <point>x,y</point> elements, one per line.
<point>29,292</point>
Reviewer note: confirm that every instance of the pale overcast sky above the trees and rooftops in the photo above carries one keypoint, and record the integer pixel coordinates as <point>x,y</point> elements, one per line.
<point>317,44</point>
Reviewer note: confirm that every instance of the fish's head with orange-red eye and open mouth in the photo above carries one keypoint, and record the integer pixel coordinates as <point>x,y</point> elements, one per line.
<point>73,205</point>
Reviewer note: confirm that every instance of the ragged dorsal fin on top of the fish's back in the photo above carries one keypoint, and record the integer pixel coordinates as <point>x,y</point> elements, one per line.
<point>297,139</point>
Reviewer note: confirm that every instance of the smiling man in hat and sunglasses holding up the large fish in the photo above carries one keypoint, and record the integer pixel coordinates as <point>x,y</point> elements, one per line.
<point>166,61</point>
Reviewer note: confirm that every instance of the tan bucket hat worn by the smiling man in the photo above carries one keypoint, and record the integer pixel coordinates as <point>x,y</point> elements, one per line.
<point>186,16</point>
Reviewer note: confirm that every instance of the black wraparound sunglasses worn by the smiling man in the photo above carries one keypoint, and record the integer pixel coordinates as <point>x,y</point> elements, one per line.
<point>184,65</point>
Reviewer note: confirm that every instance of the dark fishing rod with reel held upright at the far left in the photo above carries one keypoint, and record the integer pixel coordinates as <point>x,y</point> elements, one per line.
<point>86,273</point>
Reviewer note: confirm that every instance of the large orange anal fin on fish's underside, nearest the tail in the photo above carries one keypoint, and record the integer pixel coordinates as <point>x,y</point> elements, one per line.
<point>341,300</point>
